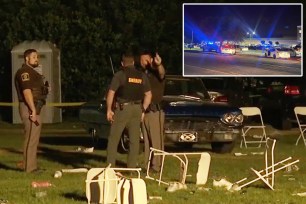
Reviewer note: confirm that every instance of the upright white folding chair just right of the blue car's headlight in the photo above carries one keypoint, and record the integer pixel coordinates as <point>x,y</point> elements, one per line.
<point>253,112</point>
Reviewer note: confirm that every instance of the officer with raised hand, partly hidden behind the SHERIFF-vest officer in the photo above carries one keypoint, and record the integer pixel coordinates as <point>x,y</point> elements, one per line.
<point>153,123</point>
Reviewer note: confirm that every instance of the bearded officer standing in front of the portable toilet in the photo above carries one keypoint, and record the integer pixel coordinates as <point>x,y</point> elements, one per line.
<point>32,94</point>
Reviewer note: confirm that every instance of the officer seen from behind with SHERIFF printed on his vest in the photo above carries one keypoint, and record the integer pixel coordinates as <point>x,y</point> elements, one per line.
<point>133,95</point>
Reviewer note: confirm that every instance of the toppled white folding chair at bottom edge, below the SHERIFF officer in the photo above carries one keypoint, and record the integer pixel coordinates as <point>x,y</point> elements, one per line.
<point>105,185</point>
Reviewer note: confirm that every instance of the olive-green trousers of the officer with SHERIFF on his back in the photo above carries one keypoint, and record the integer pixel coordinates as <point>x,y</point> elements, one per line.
<point>130,118</point>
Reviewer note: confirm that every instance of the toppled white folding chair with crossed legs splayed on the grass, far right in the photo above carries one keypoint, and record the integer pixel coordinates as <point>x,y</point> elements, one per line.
<point>267,174</point>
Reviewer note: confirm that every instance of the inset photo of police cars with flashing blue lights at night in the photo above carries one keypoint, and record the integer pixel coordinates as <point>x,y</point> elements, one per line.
<point>246,40</point>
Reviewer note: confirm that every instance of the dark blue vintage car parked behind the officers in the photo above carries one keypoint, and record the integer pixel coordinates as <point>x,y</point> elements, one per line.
<point>191,116</point>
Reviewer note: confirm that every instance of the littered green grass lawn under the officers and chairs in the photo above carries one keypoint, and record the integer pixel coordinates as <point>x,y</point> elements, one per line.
<point>56,152</point>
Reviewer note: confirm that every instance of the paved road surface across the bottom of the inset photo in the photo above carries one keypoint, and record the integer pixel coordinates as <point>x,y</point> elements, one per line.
<point>214,64</point>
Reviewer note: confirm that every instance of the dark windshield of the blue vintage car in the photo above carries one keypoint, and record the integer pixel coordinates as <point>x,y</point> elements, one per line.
<point>190,88</point>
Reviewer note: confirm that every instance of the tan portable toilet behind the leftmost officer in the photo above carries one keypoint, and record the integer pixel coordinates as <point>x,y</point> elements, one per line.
<point>49,59</point>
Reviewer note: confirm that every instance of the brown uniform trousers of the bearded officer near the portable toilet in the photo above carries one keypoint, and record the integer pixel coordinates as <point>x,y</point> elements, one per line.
<point>31,138</point>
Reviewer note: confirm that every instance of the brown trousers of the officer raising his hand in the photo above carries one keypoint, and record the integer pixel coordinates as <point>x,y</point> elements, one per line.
<point>153,135</point>
